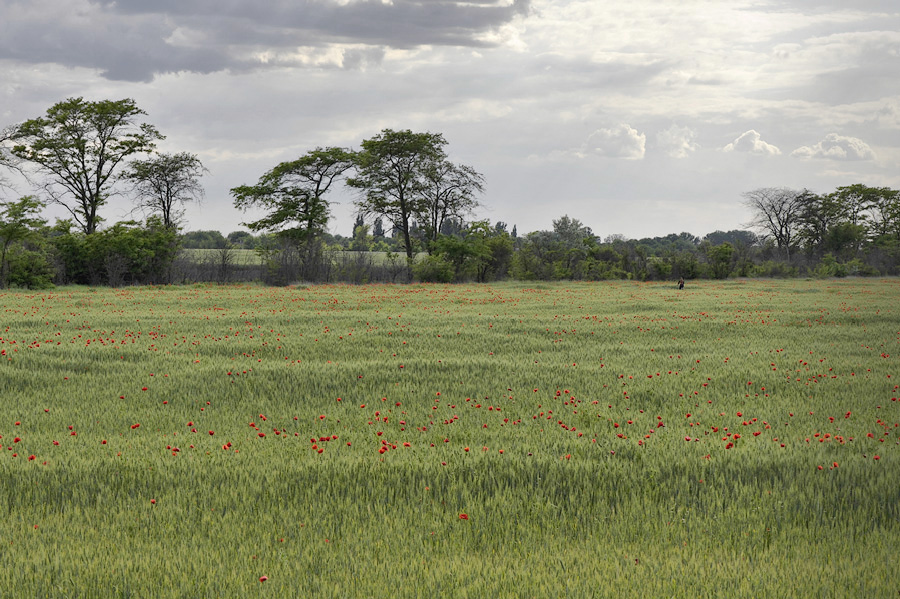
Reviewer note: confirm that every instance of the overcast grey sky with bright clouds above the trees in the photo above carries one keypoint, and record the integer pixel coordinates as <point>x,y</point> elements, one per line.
<point>637,117</point>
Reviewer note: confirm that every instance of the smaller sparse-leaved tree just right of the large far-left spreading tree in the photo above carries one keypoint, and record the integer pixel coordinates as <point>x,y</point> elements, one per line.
<point>165,181</point>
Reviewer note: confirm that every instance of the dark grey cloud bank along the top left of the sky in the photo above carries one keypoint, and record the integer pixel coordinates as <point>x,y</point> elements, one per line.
<point>135,40</point>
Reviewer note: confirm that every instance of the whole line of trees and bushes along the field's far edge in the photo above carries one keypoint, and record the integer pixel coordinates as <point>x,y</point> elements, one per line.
<point>414,210</point>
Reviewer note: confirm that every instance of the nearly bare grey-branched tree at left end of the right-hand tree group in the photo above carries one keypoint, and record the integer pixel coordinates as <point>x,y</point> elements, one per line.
<point>777,211</point>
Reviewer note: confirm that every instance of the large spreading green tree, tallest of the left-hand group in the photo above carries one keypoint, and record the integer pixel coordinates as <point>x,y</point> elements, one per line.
<point>78,146</point>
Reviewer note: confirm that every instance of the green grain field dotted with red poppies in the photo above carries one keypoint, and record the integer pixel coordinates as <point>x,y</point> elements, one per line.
<point>735,439</point>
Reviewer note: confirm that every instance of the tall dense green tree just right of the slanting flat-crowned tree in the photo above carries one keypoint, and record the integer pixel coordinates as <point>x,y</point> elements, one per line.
<point>391,174</point>
